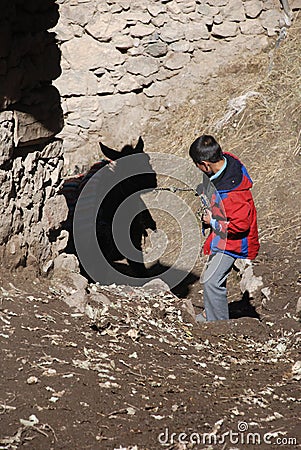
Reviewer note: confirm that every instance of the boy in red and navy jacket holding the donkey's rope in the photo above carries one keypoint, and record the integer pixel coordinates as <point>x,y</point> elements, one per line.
<point>231,219</point>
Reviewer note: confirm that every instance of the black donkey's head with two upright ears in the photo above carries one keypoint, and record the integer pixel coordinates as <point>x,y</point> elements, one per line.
<point>137,162</point>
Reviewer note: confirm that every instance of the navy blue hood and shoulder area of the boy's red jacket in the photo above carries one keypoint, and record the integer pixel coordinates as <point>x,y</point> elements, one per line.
<point>234,177</point>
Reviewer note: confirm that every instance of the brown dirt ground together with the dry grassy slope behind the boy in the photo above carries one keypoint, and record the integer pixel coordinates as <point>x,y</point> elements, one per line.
<point>141,375</point>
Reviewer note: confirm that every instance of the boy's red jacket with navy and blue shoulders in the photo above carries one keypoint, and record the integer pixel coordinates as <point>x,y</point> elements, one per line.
<point>234,225</point>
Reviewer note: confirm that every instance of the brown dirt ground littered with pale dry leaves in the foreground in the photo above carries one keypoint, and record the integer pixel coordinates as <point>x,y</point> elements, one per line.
<point>143,371</point>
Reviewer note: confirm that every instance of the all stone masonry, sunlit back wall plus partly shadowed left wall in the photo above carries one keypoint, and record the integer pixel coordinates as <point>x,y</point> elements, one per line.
<point>118,65</point>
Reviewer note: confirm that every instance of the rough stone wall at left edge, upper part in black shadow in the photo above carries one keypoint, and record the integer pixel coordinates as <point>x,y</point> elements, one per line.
<point>31,159</point>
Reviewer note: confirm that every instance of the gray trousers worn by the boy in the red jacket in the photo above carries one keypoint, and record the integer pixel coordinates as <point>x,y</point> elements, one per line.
<point>215,291</point>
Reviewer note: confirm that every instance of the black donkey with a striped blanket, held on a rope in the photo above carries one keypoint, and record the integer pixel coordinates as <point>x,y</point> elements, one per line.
<point>129,173</point>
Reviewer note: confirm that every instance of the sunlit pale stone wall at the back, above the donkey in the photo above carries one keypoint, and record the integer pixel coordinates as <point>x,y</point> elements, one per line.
<point>125,62</point>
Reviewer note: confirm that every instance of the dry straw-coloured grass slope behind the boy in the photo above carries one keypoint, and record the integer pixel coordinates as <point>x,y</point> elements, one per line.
<point>266,135</point>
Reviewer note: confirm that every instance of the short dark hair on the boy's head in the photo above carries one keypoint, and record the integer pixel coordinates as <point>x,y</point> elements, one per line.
<point>205,148</point>
